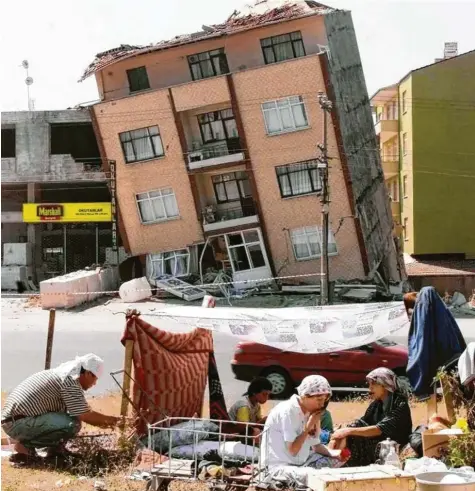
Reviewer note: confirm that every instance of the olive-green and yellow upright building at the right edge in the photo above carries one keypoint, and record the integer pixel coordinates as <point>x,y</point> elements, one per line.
<point>425,124</point>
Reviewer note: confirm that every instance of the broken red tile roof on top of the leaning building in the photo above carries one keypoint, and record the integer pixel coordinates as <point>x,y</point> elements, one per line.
<point>260,14</point>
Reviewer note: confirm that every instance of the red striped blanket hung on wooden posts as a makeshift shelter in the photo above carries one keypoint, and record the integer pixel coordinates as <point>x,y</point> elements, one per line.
<point>171,371</point>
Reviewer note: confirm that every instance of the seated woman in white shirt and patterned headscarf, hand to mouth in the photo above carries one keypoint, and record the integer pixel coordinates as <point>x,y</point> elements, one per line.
<point>291,436</point>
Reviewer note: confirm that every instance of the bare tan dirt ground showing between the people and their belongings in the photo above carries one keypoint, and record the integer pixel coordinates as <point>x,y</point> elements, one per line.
<point>15,479</point>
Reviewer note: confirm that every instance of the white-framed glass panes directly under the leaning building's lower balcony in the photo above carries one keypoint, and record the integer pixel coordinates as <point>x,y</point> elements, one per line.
<point>245,250</point>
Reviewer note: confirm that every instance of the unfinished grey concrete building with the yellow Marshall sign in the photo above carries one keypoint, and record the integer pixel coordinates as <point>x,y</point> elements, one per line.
<point>55,196</point>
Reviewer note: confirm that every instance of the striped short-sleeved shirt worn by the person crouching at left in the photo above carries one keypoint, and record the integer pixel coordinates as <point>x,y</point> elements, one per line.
<point>46,392</point>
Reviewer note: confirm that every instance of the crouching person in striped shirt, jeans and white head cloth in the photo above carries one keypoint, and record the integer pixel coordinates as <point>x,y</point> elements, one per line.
<point>47,408</point>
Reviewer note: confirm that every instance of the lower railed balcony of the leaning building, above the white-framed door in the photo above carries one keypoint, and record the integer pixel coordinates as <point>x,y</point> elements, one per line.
<point>219,217</point>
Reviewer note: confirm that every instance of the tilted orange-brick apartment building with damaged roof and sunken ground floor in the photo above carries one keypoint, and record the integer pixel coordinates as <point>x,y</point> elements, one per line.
<point>215,135</point>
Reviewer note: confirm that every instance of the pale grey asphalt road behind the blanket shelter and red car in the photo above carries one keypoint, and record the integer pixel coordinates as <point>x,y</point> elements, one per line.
<point>99,329</point>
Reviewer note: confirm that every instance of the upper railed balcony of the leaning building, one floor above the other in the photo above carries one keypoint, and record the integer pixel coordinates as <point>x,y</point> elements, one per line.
<point>212,154</point>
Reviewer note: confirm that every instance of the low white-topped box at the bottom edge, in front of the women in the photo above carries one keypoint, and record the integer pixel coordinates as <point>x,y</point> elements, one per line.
<point>361,479</point>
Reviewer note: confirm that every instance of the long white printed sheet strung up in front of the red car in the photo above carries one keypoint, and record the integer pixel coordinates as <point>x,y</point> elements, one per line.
<point>299,329</point>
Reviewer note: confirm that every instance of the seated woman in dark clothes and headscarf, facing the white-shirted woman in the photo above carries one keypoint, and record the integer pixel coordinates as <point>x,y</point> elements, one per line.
<point>388,416</point>
